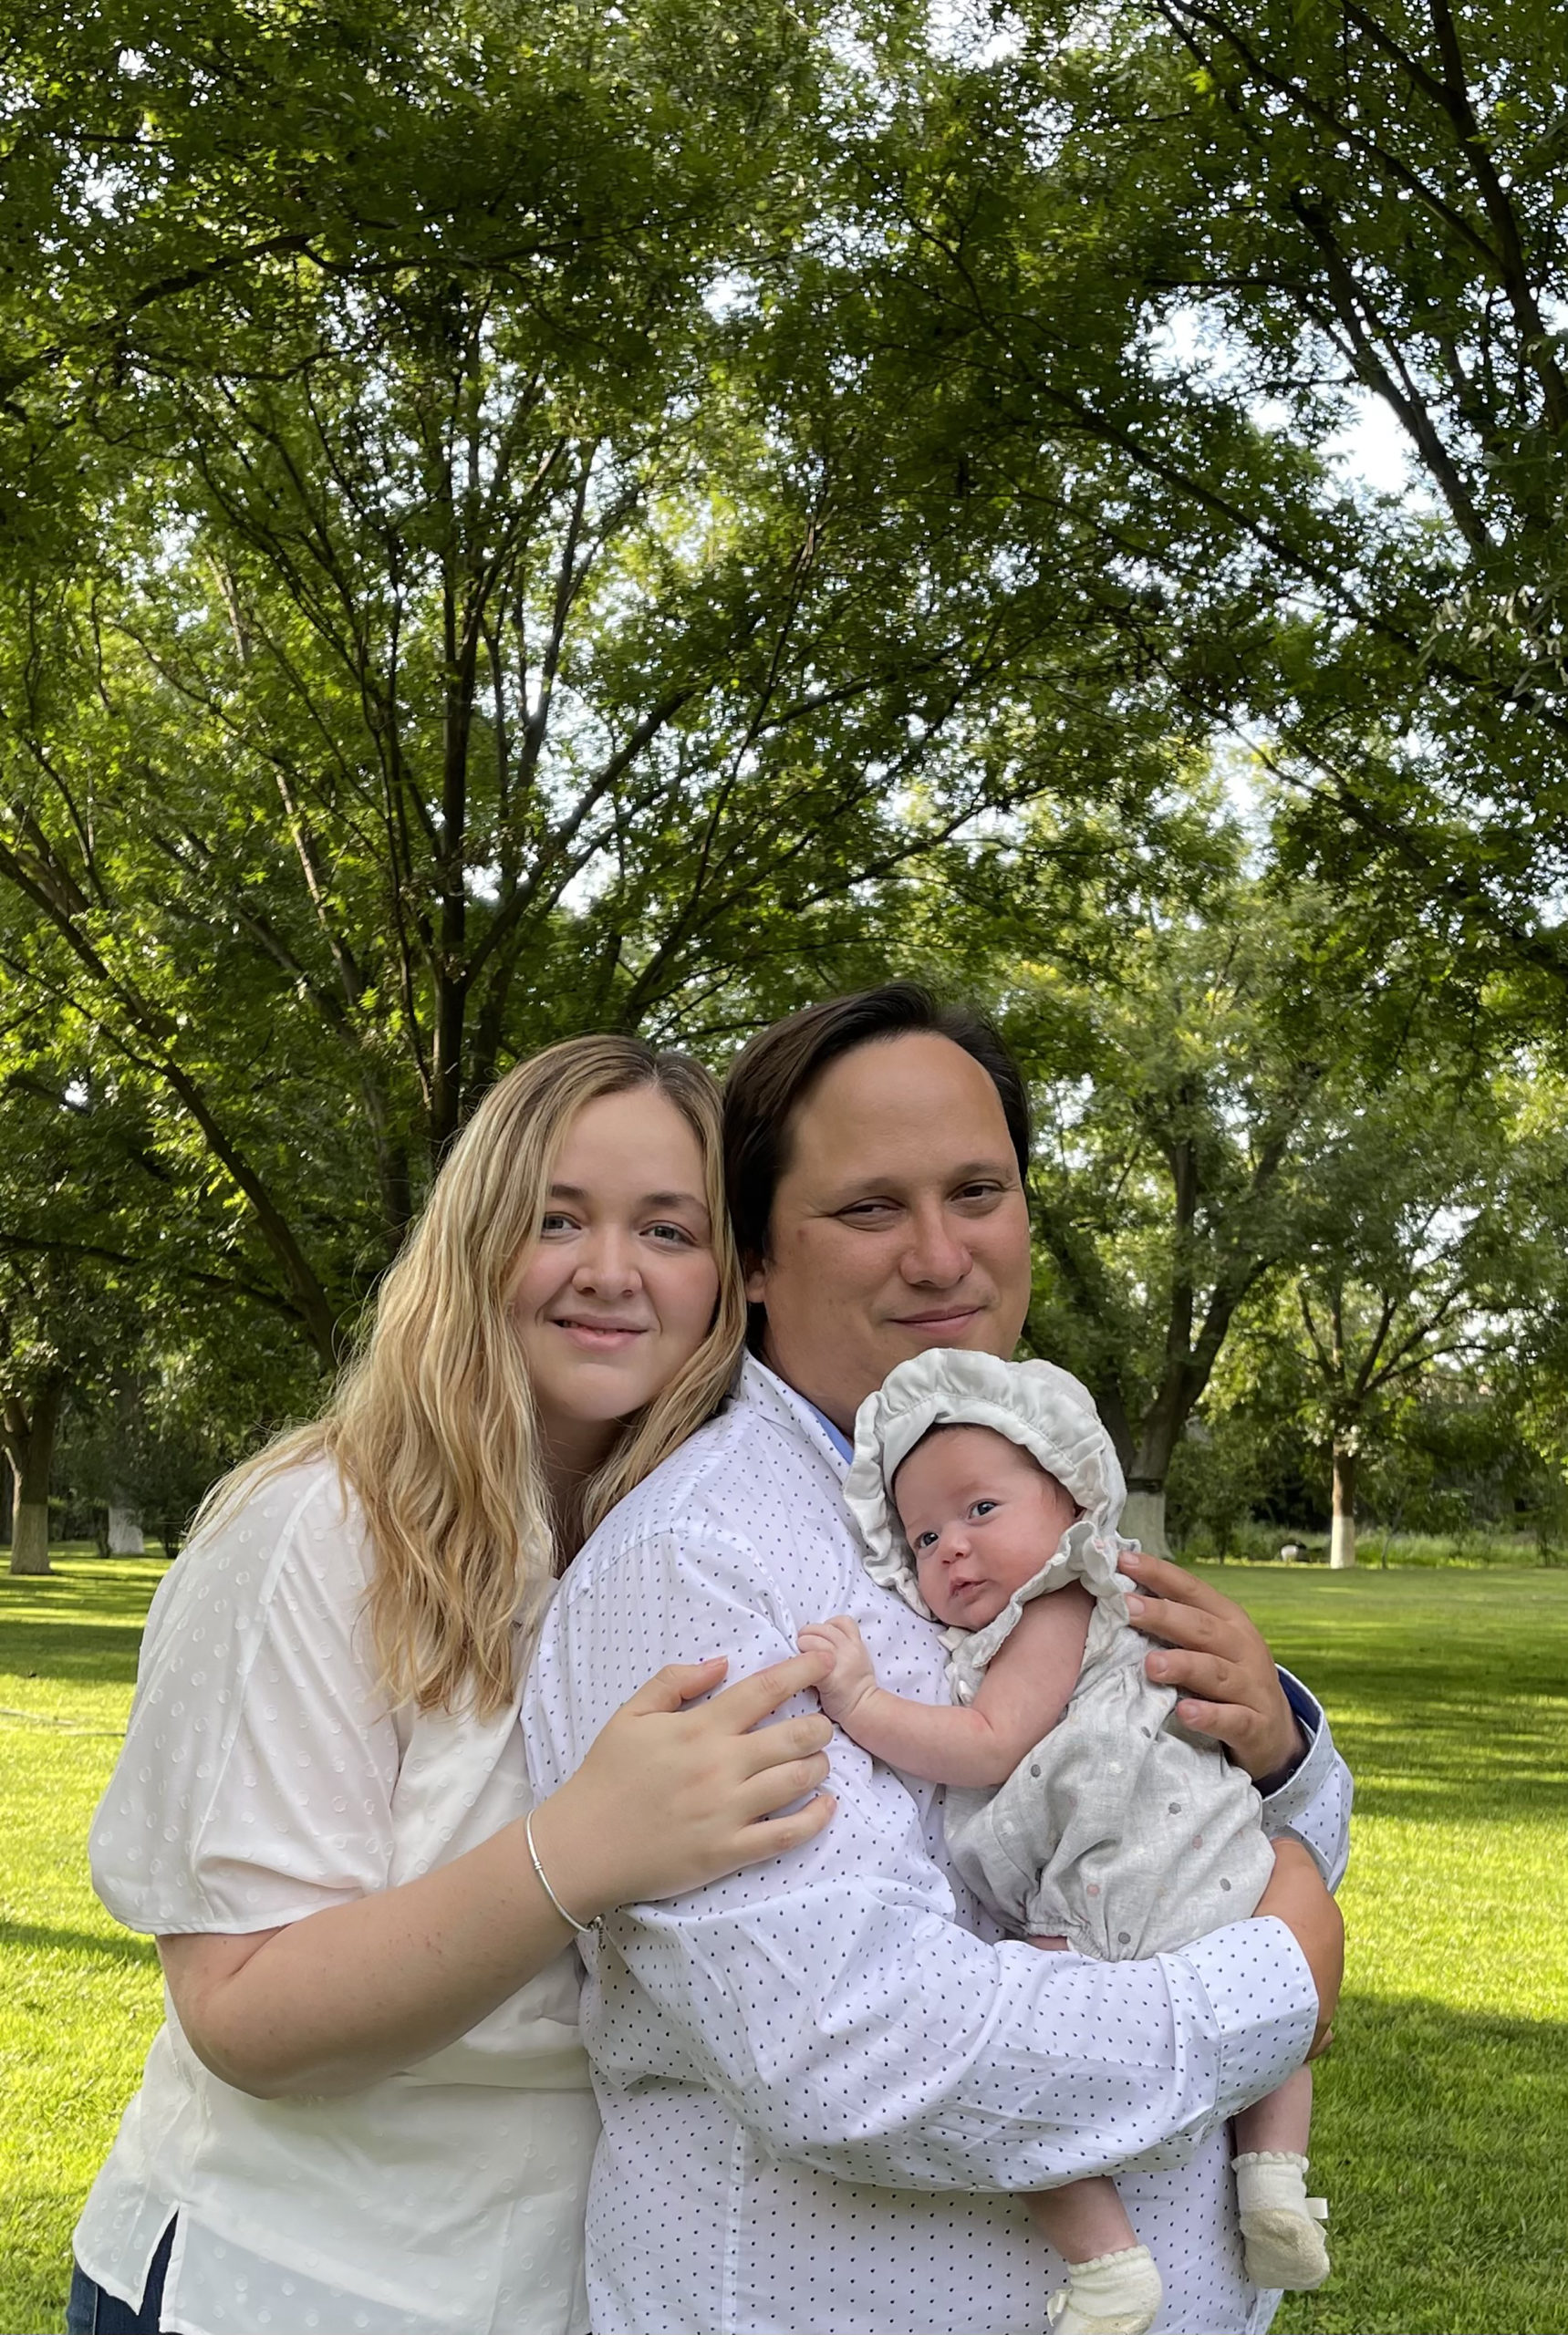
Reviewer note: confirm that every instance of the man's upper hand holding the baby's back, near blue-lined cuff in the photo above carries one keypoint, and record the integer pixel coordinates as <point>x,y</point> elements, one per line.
<point>1221,1666</point>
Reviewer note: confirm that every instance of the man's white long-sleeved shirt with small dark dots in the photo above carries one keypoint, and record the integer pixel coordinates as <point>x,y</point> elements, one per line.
<point>824,2086</point>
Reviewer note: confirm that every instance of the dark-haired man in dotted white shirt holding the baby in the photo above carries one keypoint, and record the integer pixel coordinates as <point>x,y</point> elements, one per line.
<point>819,2082</point>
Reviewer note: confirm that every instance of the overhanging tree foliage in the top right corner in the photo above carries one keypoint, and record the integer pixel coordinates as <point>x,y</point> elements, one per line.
<point>1156,256</point>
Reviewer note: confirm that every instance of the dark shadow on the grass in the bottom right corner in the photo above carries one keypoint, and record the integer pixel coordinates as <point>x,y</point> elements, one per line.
<point>1438,2140</point>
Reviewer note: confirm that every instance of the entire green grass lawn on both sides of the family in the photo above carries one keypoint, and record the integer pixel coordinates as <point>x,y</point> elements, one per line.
<point>1443,2114</point>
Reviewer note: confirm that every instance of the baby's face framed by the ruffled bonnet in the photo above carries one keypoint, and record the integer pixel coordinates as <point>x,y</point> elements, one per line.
<point>980,1519</point>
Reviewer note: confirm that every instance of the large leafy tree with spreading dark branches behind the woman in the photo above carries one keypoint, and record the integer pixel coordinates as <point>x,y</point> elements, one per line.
<point>508,611</point>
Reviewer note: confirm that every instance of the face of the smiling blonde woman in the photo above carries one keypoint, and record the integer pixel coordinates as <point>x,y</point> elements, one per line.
<point>620,1288</point>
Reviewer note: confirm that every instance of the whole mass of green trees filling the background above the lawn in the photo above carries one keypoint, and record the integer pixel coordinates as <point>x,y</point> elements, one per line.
<point>546,520</point>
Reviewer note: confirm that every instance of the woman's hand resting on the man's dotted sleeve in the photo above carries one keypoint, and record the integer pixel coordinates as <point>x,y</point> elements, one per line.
<point>674,1799</point>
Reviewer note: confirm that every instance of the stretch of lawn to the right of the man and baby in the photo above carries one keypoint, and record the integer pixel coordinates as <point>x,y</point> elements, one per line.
<point>1443,2112</point>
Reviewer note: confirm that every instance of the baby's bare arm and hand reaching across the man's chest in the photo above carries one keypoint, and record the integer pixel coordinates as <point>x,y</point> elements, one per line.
<point>1020,1699</point>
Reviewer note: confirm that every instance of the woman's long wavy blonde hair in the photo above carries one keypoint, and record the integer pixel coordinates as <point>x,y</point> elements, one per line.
<point>433,1426</point>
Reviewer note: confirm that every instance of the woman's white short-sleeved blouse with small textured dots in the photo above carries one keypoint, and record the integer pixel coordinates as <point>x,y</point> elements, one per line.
<point>265,1778</point>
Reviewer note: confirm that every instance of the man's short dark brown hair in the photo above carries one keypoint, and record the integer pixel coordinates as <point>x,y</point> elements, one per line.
<point>777,1071</point>
